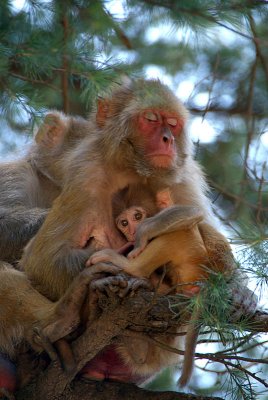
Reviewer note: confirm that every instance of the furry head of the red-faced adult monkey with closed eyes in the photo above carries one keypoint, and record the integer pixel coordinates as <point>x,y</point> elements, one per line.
<point>145,122</point>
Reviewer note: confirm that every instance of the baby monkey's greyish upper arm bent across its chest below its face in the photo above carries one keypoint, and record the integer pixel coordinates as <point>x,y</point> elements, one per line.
<point>168,220</point>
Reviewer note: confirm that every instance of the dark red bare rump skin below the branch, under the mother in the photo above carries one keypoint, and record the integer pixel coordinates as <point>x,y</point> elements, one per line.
<point>108,364</point>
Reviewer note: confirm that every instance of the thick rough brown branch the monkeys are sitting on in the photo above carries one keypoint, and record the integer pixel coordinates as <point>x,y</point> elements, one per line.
<point>142,311</point>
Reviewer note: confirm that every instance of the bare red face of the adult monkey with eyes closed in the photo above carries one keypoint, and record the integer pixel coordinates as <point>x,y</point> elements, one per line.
<point>159,130</point>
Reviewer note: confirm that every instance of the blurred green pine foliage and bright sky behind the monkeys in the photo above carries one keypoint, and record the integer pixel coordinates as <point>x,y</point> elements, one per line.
<point>62,54</point>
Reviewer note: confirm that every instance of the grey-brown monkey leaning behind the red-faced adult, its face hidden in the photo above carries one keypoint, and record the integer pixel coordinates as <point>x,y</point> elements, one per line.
<point>28,186</point>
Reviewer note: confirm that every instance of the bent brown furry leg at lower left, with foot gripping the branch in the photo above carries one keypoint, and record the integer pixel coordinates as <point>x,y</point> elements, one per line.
<point>26,315</point>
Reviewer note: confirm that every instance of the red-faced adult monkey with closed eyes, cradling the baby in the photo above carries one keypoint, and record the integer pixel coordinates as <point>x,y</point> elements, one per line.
<point>137,136</point>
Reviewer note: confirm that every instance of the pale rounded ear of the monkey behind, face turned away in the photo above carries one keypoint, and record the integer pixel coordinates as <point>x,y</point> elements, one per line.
<point>51,131</point>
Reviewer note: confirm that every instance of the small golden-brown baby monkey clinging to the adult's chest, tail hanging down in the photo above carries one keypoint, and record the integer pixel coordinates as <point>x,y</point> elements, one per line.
<point>175,238</point>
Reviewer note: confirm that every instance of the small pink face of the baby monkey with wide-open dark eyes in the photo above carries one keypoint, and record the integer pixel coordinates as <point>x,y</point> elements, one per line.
<point>128,221</point>
